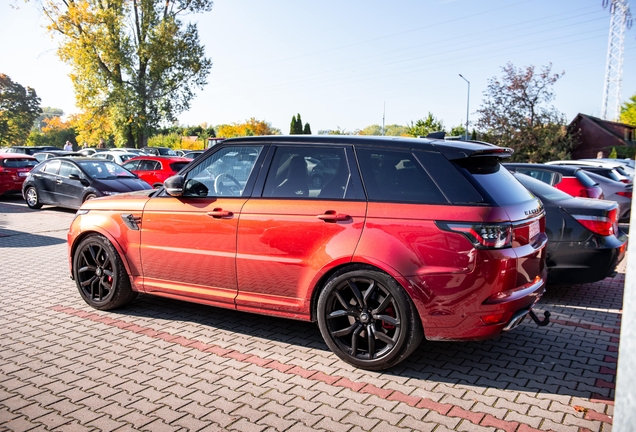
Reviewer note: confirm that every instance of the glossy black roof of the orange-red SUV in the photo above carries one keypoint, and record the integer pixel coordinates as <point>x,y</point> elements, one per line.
<point>451,149</point>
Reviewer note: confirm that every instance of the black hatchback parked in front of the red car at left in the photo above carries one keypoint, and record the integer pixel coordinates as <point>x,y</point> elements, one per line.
<point>68,182</point>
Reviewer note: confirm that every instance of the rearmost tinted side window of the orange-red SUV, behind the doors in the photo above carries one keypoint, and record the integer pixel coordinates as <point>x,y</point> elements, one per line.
<point>397,176</point>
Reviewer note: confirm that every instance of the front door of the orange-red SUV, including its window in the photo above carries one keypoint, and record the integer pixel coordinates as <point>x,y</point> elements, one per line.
<point>188,243</point>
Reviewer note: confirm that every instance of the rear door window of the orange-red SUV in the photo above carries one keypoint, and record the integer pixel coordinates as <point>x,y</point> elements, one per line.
<point>309,172</point>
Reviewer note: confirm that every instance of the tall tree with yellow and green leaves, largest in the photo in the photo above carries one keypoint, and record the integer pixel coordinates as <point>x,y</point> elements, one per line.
<point>134,64</point>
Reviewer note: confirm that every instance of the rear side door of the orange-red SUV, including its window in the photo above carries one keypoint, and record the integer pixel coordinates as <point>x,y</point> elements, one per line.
<point>295,231</point>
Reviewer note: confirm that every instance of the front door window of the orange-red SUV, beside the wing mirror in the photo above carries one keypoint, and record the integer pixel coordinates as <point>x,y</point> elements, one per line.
<point>223,173</point>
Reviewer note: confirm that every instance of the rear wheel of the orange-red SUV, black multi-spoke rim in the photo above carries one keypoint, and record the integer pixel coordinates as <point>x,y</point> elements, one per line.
<point>358,301</point>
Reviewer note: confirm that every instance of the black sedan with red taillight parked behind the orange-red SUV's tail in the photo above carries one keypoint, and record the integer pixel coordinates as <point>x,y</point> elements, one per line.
<point>585,243</point>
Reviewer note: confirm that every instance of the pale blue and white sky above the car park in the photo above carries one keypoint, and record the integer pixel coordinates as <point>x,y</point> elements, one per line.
<point>347,64</point>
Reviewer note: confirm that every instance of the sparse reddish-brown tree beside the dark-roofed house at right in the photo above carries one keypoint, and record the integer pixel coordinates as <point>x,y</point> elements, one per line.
<point>517,113</point>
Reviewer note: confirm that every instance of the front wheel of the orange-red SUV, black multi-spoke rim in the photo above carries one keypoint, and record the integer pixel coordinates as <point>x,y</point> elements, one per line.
<point>100,274</point>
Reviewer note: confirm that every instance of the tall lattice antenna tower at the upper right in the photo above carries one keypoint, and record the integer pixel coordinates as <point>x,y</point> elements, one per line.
<point>621,20</point>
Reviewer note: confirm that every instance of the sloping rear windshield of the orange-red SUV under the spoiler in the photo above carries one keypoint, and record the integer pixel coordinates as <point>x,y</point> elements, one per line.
<point>495,180</point>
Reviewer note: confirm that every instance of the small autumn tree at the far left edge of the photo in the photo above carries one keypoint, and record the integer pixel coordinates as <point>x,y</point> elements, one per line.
<point>19,108</point>
